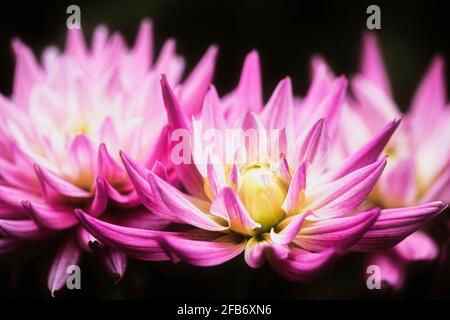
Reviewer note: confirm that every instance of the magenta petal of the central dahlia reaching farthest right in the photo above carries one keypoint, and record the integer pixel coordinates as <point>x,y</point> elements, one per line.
<point>394,225</point>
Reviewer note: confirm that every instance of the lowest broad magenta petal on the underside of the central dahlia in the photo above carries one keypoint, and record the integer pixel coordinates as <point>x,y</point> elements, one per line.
<point>301,265</point>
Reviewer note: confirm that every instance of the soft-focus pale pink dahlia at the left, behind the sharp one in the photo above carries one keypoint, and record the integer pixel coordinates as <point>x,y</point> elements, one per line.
<point>61,132</point>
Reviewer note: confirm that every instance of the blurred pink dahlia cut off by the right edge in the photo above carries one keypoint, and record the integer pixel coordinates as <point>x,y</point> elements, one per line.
<point>418,170</point>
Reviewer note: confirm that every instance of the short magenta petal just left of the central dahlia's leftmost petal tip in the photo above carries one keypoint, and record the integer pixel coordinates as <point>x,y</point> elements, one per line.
<point>49,217</point>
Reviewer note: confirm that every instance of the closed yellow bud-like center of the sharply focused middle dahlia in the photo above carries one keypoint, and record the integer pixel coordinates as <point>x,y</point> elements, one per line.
<point>262,192</point>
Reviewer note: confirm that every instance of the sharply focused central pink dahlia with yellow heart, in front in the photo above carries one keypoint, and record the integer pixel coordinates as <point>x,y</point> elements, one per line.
<point>277,201</point>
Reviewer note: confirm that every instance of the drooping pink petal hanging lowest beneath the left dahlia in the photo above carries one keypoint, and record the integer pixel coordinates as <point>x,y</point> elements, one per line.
<point>68,254</point>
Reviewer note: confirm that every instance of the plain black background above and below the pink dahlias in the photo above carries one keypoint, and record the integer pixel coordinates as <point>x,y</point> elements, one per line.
<point>286,34</point>
